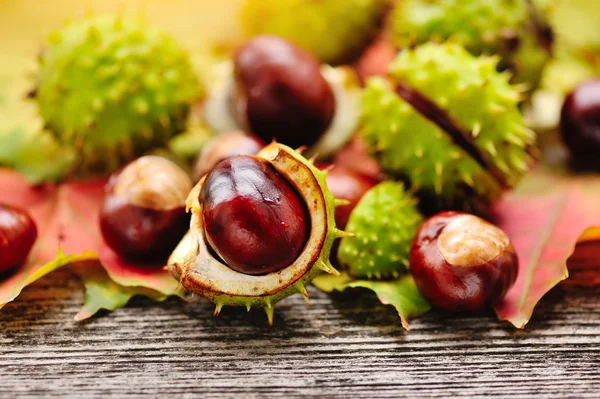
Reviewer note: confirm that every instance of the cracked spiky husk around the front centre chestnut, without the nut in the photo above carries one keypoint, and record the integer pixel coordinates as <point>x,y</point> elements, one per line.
<point>201,271</point>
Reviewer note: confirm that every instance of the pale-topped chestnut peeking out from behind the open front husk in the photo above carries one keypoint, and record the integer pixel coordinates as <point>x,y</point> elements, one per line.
<point>223,146</point>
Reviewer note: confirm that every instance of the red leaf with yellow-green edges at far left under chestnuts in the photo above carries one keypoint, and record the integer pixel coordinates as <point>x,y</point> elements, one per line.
<point>66,217</point>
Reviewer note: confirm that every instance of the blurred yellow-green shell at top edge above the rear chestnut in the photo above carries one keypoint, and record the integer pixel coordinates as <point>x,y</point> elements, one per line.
<point>335,31</point>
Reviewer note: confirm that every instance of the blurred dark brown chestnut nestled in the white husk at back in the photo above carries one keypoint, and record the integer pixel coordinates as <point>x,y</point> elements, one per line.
<point>281,92</point>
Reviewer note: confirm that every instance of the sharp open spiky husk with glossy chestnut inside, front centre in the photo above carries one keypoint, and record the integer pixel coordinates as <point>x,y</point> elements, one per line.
<point>262,227</point>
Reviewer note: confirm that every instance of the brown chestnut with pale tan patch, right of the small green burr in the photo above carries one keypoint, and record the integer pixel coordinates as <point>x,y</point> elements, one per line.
<point>461,263</point>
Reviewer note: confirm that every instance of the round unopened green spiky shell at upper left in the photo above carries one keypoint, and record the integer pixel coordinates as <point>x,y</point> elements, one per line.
<point>114,88</point>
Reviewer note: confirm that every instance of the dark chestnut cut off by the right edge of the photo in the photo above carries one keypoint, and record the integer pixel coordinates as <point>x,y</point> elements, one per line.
<point>580,124</point>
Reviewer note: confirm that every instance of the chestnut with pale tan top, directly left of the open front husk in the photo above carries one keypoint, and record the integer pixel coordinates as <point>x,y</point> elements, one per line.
<point>142,216</point>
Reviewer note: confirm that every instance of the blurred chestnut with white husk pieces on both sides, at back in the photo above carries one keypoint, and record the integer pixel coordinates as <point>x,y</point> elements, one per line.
<point>278,91</point>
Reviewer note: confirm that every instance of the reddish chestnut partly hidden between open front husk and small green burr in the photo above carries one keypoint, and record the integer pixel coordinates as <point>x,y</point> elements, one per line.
<point>348,185</point>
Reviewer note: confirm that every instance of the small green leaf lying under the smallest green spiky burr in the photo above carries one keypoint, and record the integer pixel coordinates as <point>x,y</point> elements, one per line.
<point>401,294</point>
